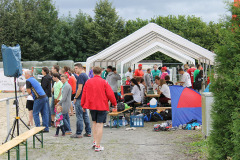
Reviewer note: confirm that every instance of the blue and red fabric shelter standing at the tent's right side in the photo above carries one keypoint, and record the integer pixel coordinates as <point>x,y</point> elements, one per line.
<point>186,105</point>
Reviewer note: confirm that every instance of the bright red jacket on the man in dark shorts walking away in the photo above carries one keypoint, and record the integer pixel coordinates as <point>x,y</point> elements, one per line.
<point>96,94</point>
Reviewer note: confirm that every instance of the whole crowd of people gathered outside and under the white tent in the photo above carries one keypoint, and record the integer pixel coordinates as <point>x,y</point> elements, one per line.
<point>63,91</point>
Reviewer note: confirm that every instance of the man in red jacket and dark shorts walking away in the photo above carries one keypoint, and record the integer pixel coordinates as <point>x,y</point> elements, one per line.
<point>96,94</point>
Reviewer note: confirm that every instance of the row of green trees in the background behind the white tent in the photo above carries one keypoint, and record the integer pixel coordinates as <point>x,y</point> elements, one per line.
<point>43,35</point>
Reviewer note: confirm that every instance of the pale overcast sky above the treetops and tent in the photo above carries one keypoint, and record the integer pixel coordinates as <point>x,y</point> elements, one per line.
<point>208,10</point>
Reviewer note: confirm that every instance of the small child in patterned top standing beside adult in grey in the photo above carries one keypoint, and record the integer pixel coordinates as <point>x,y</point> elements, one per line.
<point>59,121</point>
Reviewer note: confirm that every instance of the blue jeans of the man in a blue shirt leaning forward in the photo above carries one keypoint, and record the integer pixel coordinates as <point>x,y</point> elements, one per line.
<point>41,105</point>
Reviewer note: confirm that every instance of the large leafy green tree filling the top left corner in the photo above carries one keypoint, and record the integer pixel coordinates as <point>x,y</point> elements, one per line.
<point>30,23</point>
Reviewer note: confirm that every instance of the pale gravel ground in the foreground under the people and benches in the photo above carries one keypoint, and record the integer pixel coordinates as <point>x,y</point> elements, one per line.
<point>141,144</point>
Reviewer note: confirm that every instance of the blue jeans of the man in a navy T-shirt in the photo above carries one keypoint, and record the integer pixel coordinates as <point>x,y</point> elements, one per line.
<point>81,116</point>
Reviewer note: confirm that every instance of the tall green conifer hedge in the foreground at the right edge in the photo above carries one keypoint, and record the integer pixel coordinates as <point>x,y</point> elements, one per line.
<point>224,139</point>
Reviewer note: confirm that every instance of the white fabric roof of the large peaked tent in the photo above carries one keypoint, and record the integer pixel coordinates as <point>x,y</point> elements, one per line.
<point>145,42</point>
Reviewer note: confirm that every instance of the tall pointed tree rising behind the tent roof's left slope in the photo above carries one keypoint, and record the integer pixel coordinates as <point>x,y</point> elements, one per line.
<point>107,27</point>
